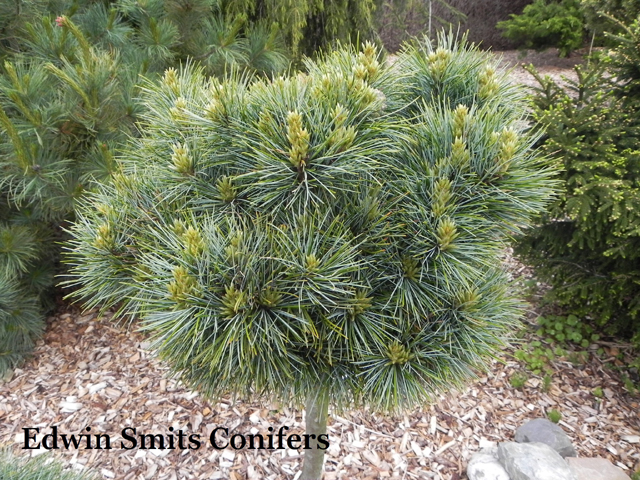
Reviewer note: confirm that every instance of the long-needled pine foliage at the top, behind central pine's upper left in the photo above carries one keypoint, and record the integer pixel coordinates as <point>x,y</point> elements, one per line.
<point>170,31</point>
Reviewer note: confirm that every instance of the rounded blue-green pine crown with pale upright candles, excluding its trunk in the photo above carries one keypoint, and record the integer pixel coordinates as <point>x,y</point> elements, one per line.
<point>337,229</point>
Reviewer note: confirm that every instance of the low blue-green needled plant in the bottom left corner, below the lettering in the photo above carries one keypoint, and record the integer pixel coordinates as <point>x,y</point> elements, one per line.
<point>38,468</point>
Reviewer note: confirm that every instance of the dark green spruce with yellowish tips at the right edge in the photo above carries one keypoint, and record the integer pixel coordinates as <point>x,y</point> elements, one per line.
<point>588,246</point>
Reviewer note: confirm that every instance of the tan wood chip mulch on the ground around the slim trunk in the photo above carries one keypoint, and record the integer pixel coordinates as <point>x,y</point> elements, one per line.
<point>87,372</point>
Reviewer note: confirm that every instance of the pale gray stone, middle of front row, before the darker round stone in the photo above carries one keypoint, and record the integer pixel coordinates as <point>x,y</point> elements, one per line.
<point>533,461</point>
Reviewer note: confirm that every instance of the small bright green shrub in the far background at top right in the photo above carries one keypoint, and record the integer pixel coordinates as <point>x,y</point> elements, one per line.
<point>547,23</point>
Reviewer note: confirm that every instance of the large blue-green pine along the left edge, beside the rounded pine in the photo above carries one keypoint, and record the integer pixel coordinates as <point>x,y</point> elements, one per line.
<point>59,122</point>
